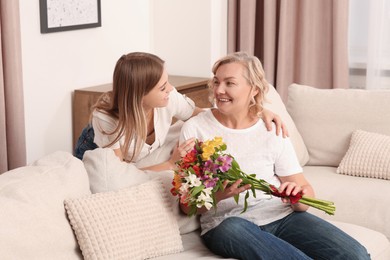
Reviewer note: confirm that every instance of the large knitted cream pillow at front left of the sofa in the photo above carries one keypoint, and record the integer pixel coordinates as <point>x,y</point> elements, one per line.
<point>131,223</point>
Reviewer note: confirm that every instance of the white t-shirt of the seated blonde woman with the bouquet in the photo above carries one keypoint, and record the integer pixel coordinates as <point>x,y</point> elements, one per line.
<point>257,151</point>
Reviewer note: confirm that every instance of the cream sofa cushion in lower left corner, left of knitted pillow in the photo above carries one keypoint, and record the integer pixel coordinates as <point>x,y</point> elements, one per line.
<point>33,222</point>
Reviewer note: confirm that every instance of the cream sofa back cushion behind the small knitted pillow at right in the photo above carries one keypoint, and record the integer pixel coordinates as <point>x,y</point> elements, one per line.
<point>326,118</point>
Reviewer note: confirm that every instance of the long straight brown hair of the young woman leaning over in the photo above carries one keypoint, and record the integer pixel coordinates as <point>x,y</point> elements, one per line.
<point>135,75</point>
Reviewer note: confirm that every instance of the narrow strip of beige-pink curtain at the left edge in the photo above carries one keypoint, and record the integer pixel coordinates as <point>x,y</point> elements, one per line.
<point>12,130</point>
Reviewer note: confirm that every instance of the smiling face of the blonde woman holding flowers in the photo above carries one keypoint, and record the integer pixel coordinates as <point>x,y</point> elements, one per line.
<point>232,91</point>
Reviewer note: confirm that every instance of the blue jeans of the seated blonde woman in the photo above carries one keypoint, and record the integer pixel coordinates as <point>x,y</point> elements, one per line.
<point>299,235</point>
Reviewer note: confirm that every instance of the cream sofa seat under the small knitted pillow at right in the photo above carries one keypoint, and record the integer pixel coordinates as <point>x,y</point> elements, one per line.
<point>357,199</point>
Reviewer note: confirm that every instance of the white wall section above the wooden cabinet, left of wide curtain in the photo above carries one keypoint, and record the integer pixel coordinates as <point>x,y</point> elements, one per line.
<point>190,34</point>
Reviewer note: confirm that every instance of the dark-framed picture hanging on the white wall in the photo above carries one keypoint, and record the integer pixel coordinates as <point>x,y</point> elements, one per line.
<point>65,15</point>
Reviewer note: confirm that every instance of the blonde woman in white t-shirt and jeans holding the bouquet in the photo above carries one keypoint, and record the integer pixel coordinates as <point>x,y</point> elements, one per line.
<point>270,228</point>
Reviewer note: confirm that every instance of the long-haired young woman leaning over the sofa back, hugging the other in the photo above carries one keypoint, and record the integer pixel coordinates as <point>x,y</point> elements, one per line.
<point>134,118</point>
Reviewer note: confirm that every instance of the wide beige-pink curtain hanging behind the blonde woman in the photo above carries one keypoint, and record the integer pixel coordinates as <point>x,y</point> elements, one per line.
<point>298,41</point>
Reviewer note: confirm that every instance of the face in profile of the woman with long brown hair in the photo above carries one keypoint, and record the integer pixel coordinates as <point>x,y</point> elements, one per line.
<point>159,95</point>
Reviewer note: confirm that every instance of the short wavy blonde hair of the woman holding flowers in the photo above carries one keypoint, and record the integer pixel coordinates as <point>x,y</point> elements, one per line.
<point>254,74</point>
